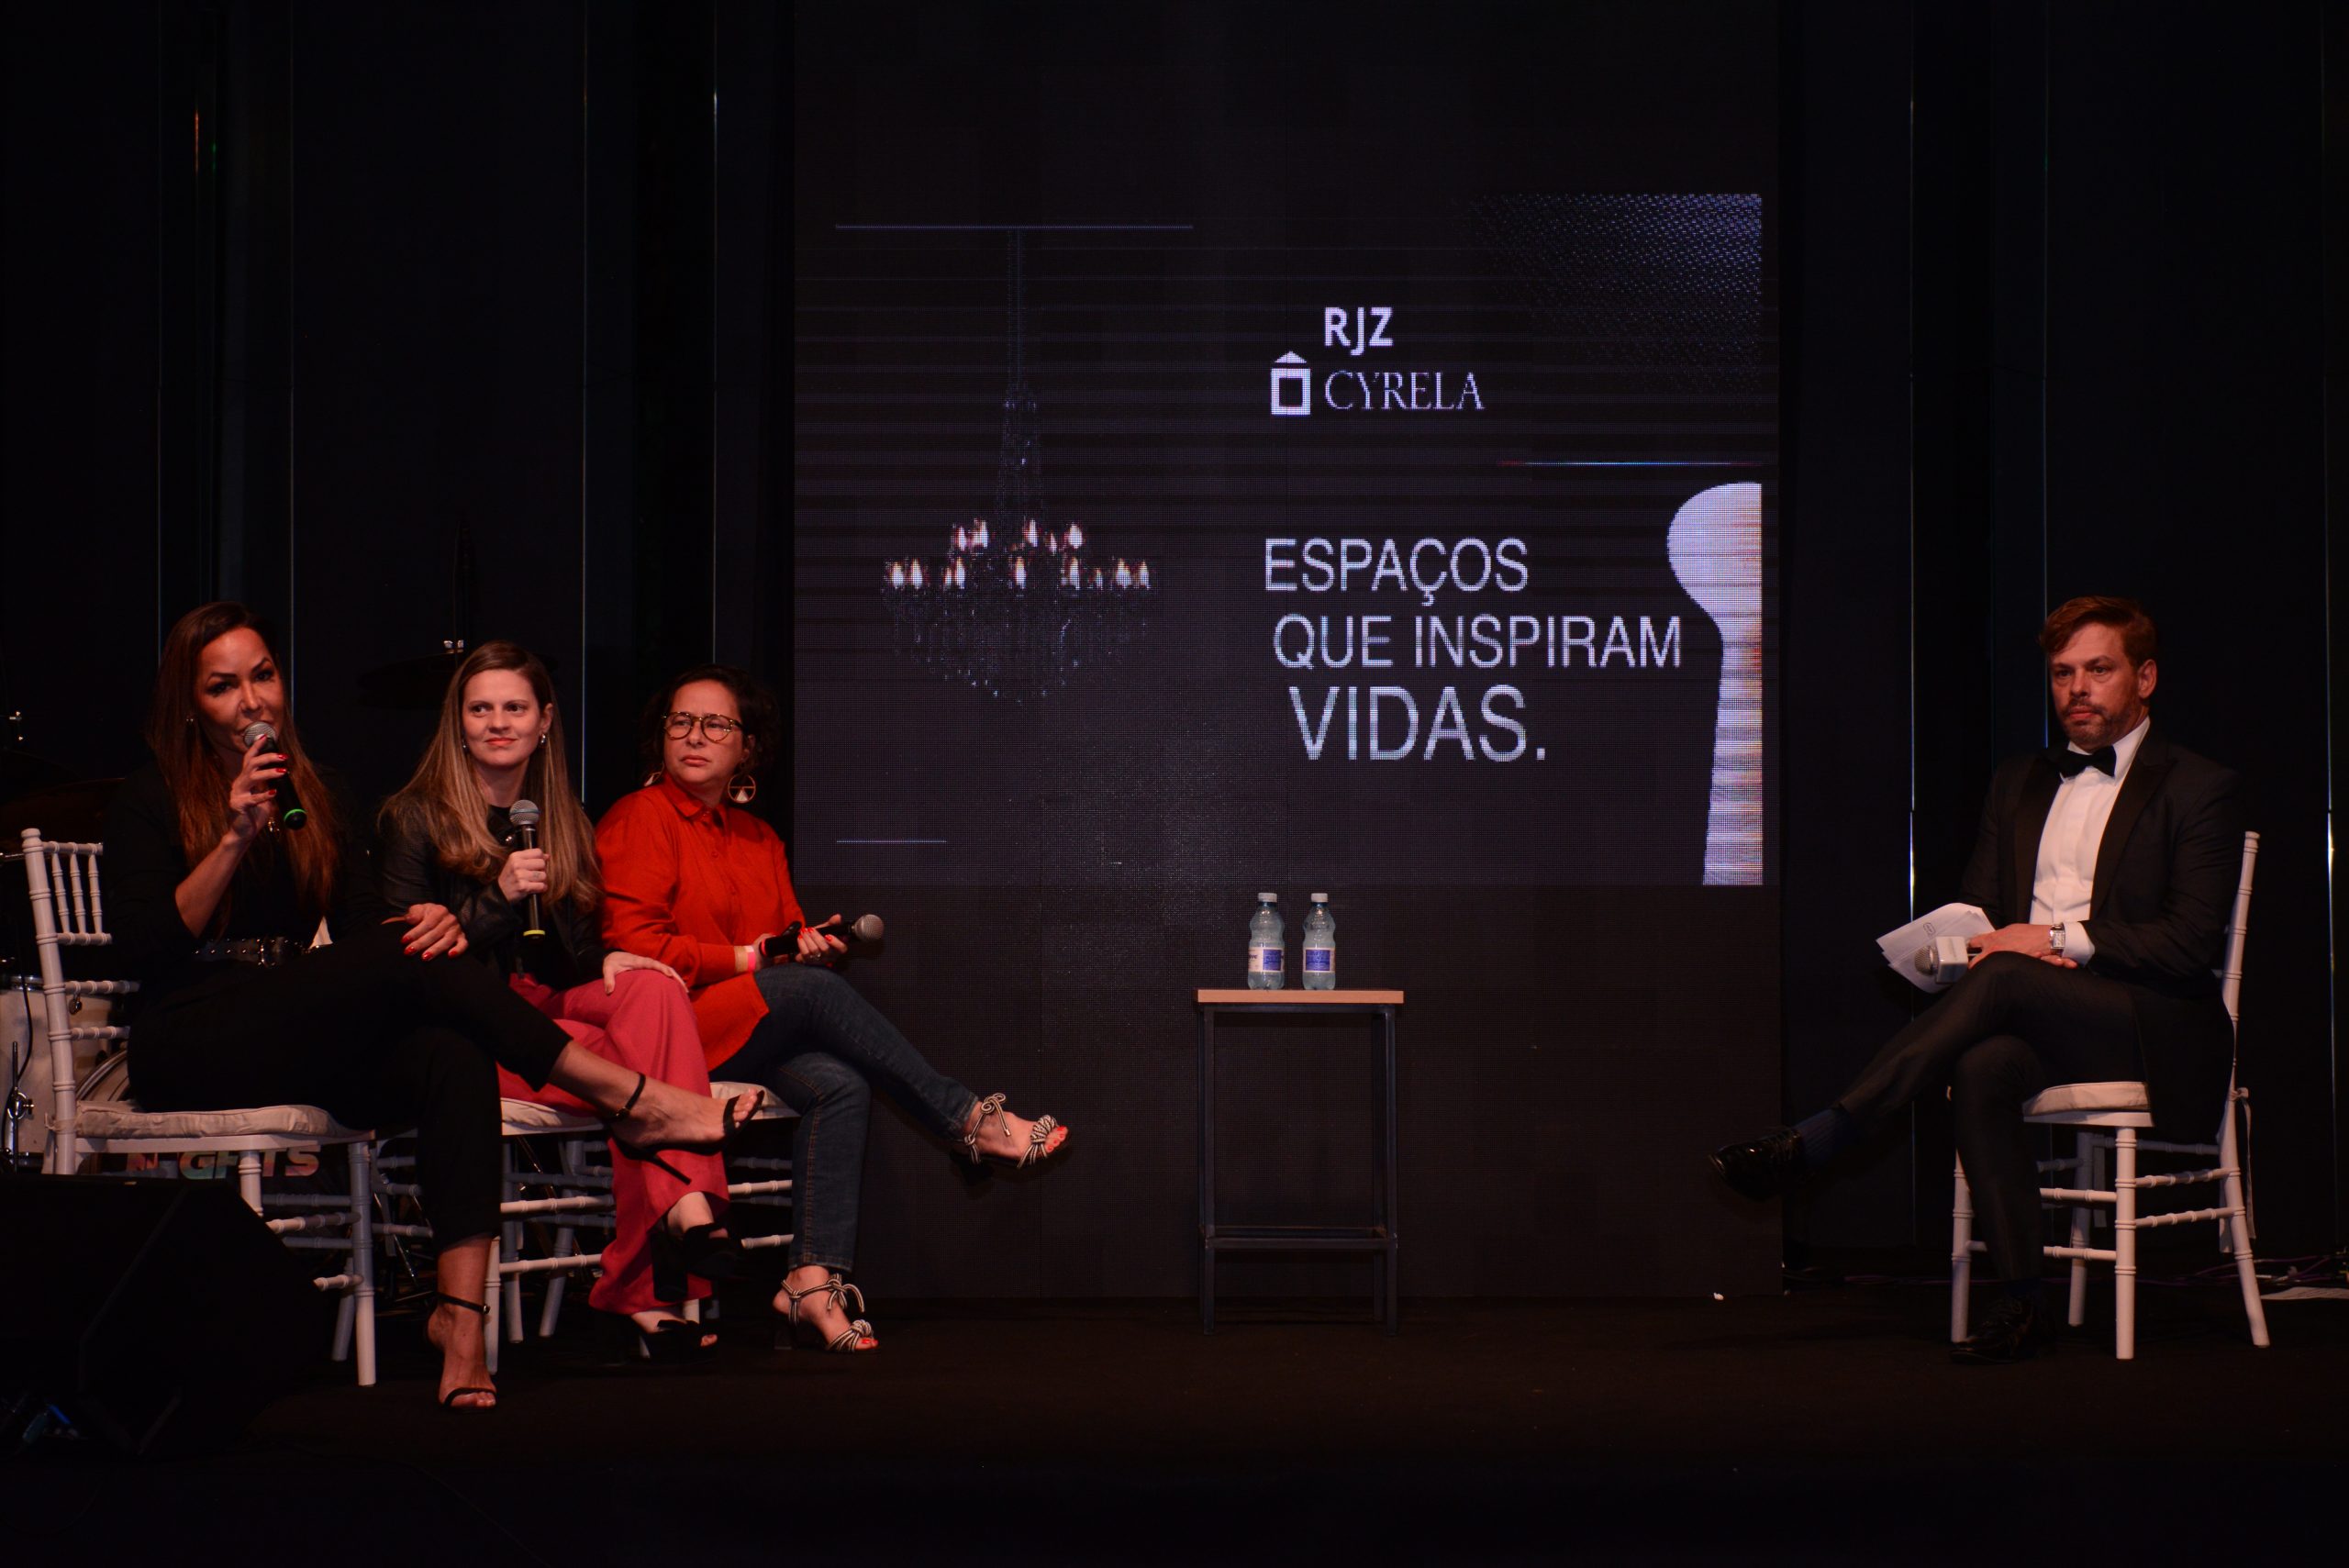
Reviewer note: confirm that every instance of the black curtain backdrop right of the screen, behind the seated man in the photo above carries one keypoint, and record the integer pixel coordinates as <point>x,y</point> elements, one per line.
<point>2108,374</point>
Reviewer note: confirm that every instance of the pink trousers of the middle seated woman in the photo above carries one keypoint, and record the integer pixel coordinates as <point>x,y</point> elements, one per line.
<point>647,1027</point>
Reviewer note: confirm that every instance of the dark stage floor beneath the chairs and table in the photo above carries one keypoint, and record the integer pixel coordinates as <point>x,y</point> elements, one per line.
<point>1822,1426</point>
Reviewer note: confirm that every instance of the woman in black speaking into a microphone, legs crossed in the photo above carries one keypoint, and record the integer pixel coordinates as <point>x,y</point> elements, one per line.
<point>220,895</point>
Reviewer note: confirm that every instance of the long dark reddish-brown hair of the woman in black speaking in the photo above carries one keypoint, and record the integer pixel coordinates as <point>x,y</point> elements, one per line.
<point>191,769</point>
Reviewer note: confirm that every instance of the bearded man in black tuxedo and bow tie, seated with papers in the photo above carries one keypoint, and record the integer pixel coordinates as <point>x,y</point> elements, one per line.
<point>2108,870</point>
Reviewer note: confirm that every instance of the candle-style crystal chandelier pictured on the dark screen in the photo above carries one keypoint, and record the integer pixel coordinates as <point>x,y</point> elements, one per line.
<point>1018,607</point>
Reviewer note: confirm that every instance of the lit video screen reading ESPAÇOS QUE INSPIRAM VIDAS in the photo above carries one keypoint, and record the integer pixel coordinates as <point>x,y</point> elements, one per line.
<point>1436,550</point>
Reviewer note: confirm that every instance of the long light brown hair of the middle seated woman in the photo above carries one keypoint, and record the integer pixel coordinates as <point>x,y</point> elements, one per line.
<point>447,804</point>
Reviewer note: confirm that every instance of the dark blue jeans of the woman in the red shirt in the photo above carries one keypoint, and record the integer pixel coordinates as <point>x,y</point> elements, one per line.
<point>823,1048</point>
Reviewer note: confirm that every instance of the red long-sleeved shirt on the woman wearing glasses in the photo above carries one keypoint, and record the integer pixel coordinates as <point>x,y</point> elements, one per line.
<point>689,884</point>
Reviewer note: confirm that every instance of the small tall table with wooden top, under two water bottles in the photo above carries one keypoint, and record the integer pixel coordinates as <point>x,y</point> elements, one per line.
<point>1378,1238</point>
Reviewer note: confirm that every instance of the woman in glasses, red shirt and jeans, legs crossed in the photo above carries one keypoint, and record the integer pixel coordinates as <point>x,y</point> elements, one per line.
<point>701,886</point>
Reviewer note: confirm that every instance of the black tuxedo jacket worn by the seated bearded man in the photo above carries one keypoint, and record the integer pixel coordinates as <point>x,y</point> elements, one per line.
<point>2165,888</point>
